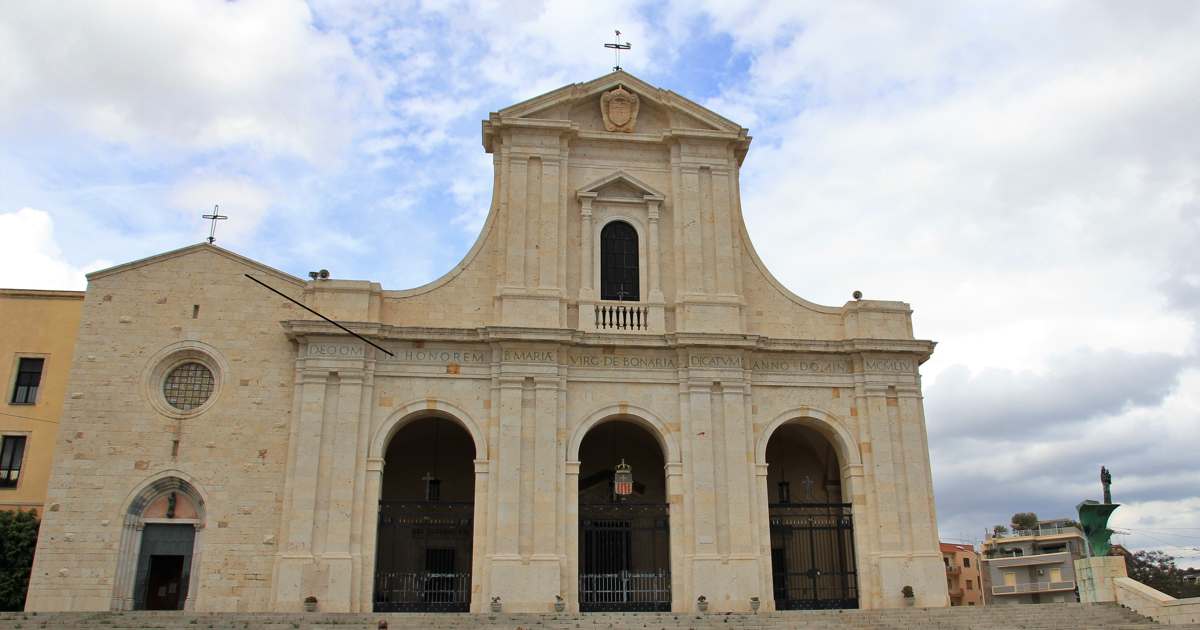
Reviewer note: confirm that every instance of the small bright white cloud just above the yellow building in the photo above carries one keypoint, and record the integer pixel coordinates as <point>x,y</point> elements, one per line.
<point>31,259</point>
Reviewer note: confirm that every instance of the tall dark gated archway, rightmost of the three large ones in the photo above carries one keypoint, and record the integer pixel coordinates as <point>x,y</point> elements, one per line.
<point>812,527</point>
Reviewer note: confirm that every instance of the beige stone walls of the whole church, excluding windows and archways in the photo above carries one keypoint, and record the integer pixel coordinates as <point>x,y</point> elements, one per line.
<point>511,345</point>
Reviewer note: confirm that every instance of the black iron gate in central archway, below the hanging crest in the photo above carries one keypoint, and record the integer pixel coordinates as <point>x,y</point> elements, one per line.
<point>625,557</point>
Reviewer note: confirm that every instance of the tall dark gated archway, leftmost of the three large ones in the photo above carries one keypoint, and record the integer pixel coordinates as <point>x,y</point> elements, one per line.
<point>427,509</point>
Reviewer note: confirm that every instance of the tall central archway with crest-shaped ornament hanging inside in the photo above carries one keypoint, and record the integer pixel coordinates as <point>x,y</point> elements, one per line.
<point>625,539</point>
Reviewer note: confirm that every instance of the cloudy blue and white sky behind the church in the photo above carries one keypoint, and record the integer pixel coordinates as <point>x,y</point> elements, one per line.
<point>1027,176</point>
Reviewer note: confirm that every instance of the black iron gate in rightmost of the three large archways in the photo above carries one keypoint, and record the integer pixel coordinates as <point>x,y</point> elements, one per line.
<point>813,556</point>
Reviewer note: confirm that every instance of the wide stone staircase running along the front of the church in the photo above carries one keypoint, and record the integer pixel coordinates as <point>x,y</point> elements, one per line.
<point>1025,617</point>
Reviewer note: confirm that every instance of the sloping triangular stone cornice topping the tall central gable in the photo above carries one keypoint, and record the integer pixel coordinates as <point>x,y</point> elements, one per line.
<point>686,109</point>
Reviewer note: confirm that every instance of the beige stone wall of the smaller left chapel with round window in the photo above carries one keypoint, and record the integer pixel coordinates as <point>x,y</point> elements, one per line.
<point>113,442</point>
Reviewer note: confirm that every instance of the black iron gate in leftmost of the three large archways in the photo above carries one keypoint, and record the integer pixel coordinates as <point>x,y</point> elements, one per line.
<point>423,563</point>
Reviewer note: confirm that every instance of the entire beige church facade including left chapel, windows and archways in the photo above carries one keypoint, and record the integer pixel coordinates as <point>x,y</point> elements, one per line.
<point>609,405</point>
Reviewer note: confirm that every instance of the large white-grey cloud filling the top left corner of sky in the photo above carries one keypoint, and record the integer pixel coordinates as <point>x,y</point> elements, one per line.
<point>189,74</point>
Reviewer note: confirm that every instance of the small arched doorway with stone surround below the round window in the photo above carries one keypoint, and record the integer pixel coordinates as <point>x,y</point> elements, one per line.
<point>160,548</point>
